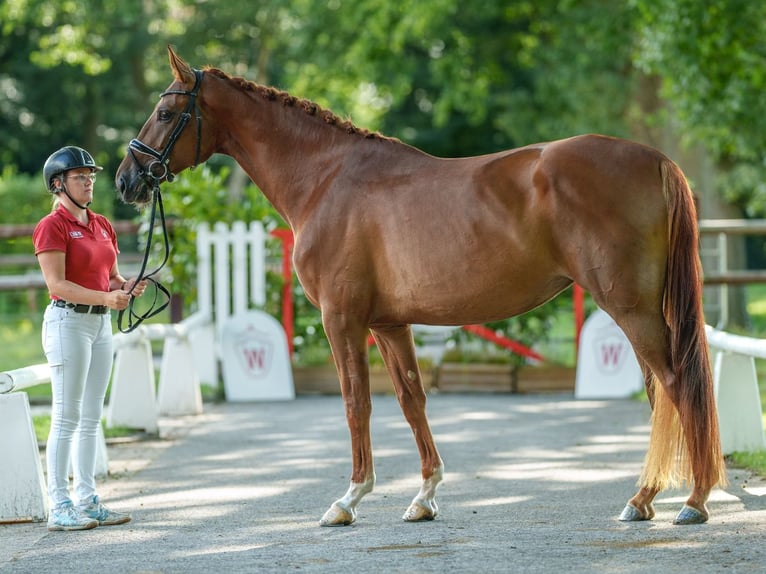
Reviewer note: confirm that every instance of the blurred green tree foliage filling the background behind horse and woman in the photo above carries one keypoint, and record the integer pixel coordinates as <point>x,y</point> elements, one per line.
<point>452,77</point>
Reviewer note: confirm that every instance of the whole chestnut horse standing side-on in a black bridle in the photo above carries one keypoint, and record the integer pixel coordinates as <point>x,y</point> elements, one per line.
<point>387,236</point>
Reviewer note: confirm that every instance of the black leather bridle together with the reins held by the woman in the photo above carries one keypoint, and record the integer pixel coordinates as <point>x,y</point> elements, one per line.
<point>153,174</point>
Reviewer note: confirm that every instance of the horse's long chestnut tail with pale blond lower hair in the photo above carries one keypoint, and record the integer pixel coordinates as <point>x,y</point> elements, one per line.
<point>685,442</point>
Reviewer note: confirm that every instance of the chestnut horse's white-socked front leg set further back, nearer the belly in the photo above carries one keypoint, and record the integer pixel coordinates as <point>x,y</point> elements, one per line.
<point>396,346</point>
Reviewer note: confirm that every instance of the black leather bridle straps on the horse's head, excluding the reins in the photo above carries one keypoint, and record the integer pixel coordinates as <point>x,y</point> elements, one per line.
<point>157,169</point>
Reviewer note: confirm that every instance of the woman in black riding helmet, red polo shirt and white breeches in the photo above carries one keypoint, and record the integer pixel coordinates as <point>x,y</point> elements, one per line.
<point>77,252</point>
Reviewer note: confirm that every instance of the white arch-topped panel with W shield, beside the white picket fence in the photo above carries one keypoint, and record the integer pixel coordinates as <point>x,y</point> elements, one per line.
<point>255,358</point>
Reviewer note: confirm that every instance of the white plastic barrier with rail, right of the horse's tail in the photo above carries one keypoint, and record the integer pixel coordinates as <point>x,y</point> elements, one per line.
<point>738,400</point>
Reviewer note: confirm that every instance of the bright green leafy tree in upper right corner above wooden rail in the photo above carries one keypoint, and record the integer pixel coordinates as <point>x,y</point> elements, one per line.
<point>711,59</point>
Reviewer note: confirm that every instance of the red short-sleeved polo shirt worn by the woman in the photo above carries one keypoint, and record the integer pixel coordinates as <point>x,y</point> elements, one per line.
<point>91,250</point>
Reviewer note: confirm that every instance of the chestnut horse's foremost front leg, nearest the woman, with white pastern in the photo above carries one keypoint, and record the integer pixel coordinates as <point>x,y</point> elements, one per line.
<point>349,349</point>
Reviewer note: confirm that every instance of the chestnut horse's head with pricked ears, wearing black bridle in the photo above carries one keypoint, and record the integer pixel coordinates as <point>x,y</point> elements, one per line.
<point>166,144</point>
